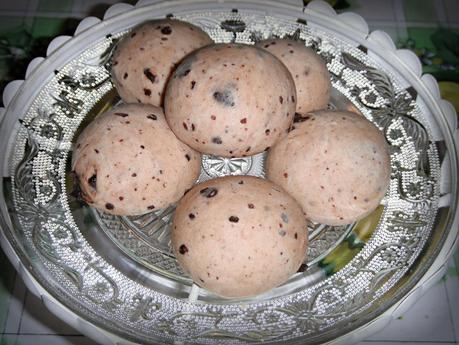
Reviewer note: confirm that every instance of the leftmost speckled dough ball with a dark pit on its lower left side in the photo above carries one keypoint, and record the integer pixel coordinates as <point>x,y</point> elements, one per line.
<point>128,161</point>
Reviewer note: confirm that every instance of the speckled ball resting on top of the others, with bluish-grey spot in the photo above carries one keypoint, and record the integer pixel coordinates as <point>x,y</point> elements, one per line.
<point>230,100</point>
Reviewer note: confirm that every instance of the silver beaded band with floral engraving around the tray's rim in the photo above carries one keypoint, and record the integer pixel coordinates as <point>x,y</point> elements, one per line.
<point>47,224</point>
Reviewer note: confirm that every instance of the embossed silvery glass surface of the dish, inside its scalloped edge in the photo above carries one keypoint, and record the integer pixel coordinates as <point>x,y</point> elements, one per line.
<point>119,272</point>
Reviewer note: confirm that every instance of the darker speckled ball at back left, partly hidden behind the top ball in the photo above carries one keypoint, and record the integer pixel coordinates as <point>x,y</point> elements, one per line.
<point>145,58</point>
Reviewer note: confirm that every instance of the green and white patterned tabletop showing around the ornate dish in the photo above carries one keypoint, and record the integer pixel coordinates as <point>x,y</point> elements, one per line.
<point>26,26</point>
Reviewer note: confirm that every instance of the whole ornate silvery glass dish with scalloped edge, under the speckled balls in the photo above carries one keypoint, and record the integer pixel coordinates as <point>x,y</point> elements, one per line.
<point>115,278</point>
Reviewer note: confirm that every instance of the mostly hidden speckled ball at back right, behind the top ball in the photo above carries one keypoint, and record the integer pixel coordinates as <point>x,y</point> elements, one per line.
<point>309,72</point>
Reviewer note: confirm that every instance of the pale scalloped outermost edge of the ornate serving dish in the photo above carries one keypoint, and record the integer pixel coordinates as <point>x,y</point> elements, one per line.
<point>357,23</point>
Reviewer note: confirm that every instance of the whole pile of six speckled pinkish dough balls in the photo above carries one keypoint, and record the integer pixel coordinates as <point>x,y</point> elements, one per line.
<point>184,96</point>
